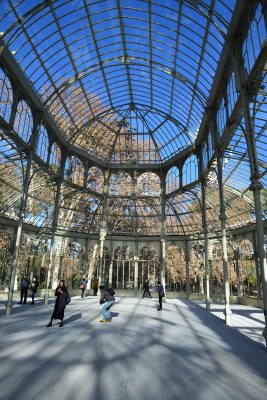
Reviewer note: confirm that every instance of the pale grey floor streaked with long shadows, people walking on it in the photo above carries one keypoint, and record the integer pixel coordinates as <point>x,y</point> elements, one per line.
<point>183,352</point>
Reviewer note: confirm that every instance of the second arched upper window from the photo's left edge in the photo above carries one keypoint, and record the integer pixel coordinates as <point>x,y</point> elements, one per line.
<point>23,121</point>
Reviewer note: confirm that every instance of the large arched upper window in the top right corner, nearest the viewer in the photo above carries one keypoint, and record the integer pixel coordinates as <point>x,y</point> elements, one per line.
<point>254,37</point>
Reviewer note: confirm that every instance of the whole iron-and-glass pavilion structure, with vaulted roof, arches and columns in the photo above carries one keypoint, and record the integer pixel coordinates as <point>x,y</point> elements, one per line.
<point>133,121</point>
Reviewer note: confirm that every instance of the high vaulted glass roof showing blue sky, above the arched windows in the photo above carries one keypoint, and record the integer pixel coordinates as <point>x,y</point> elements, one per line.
<point>125,80</point>
